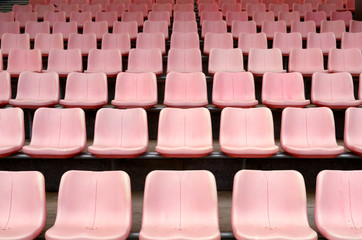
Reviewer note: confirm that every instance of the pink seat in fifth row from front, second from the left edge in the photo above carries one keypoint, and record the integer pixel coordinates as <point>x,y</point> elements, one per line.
<point>45,42</point>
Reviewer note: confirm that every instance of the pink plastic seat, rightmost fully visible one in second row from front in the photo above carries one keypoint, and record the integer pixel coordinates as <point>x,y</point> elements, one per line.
<point>309,133</point>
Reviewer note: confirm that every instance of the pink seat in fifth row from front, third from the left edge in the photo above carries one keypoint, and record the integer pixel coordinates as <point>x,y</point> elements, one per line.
<point>85,42</point>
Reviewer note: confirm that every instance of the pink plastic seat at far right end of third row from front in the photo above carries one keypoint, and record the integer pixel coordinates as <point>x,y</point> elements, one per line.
<point>333,90</point>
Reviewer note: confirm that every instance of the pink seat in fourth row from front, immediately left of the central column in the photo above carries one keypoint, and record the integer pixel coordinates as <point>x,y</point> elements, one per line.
<point>145,60</point>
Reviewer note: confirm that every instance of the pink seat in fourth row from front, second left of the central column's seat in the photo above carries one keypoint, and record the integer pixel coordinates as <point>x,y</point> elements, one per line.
<point>105,61</point>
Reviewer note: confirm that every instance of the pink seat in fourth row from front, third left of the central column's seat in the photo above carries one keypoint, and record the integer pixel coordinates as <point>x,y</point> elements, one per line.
<point>65,61</point>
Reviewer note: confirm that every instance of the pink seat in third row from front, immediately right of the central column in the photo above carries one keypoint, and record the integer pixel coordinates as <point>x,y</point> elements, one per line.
<point>233,90</point>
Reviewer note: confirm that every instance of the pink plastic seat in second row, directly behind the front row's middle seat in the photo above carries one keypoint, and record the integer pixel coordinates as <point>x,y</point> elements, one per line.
<point>184,133</point>
